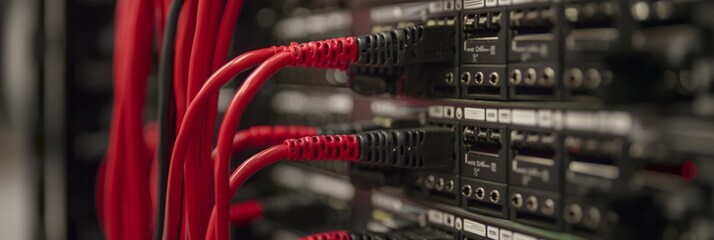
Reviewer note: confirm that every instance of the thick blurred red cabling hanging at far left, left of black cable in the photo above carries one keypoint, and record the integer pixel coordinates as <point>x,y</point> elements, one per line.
<point>127,164</point>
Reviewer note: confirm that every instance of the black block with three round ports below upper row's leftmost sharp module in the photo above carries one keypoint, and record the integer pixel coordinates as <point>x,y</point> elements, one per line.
<point>481,81</point>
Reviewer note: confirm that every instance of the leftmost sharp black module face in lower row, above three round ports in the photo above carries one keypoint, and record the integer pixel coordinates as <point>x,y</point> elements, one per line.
<point>485,152</point>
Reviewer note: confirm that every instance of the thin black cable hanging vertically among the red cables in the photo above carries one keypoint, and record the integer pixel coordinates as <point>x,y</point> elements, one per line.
<point>167,110</point>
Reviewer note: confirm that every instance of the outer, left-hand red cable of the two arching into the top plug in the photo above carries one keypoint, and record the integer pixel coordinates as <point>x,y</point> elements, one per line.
<point>187,130</point>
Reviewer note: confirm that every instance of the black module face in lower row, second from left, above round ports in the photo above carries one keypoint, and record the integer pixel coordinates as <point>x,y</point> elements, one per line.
<point>535,159</point>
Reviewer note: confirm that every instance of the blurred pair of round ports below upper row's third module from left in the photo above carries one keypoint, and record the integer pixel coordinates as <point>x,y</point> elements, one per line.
<point>590,78</point>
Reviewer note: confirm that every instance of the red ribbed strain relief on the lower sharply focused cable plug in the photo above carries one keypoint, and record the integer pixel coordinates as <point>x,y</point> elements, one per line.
<point>330,147</point>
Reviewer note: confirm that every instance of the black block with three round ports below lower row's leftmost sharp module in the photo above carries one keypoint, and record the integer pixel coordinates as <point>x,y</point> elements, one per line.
<point>484,197</point>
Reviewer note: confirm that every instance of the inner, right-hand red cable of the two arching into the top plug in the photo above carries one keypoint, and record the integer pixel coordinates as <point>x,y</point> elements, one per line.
<point>230,121</point>
